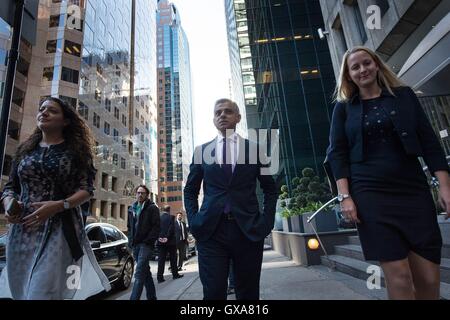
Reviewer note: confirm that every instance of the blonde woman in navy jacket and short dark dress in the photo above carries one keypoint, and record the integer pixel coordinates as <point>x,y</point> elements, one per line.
<point>378,131</point>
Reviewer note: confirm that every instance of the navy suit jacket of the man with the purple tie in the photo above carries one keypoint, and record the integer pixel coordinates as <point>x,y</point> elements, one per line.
<point>240,191</point>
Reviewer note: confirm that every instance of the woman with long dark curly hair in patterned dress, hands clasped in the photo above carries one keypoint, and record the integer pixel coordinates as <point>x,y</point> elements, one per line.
<point>48,253</point>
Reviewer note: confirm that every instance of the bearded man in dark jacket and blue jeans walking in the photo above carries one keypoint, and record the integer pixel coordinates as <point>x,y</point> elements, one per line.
<point>143,230</point>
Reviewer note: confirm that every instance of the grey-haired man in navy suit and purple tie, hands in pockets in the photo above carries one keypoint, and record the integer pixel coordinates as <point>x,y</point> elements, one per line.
<point>229,224</point>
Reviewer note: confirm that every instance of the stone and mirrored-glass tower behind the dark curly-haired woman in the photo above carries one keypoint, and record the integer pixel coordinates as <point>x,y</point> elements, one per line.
<point>99,56</point>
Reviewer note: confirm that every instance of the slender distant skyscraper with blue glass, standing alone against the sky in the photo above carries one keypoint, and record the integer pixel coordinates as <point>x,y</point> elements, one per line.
<point>175,125</point>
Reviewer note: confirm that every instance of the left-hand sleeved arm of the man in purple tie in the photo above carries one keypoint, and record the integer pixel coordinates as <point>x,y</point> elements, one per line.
<point>192,188</point>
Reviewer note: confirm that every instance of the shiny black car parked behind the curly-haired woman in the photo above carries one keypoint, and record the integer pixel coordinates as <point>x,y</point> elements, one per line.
<point>111,250</point>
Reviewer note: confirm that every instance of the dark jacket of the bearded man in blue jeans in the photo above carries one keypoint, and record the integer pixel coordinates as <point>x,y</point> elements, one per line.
<point>148,227</point>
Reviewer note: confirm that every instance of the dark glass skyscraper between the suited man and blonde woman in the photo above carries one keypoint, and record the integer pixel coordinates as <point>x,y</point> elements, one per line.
<point>284,75</point>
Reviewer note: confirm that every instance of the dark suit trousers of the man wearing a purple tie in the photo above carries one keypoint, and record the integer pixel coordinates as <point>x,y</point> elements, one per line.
<point>228,242</point>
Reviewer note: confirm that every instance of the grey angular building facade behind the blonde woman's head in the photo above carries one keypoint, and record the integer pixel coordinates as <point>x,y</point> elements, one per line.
<point>411,36</point>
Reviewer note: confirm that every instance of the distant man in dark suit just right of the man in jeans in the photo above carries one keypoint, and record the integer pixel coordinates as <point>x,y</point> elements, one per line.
<point>166,244</point>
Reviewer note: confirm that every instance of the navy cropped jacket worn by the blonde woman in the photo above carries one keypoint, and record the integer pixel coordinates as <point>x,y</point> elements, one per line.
<point>409,119</point>
